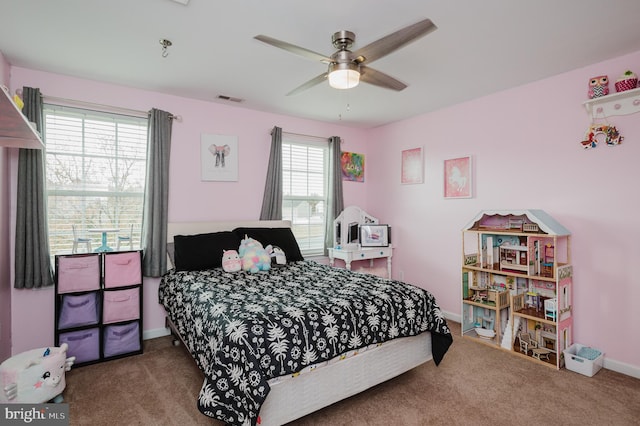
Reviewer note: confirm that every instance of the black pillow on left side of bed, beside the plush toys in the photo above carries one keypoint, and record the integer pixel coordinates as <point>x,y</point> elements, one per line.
<point>202,251</point>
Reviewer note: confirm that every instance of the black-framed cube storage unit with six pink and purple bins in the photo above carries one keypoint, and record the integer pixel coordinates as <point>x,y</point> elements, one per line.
<point>98,305</point>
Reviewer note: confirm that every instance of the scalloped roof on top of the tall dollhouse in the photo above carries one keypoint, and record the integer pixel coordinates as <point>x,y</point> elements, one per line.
<point>502,219</point>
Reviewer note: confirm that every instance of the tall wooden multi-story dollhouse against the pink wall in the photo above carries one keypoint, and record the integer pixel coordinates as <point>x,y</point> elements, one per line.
<point>517,281</point>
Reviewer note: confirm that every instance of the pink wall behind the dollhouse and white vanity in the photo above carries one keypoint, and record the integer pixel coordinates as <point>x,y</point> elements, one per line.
<point>526,154</point>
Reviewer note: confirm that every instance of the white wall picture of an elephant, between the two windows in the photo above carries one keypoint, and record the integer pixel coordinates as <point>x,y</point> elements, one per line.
<point>219,158</point>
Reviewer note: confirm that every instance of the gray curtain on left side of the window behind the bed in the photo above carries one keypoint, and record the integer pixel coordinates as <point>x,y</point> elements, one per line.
<point>272,199</point>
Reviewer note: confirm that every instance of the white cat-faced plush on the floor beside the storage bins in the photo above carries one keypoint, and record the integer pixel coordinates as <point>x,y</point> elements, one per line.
<point>35,376</point>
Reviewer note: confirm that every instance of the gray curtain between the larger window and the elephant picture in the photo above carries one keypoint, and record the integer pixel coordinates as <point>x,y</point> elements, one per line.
<point>156,195</point>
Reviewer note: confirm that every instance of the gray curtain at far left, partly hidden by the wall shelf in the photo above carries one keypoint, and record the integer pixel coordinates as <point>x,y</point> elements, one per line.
<point>32,261</point>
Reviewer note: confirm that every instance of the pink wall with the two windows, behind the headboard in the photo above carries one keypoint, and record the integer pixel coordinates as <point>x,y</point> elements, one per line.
<point>190,199</point>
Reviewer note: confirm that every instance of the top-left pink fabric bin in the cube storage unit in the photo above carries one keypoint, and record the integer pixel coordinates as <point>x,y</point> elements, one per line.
<point>78,273</point>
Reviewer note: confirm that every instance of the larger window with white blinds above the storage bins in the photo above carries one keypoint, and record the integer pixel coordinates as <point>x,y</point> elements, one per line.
<point>96,167</point>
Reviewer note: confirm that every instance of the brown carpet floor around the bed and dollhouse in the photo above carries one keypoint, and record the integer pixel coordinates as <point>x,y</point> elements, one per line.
<point>474,385</point>
